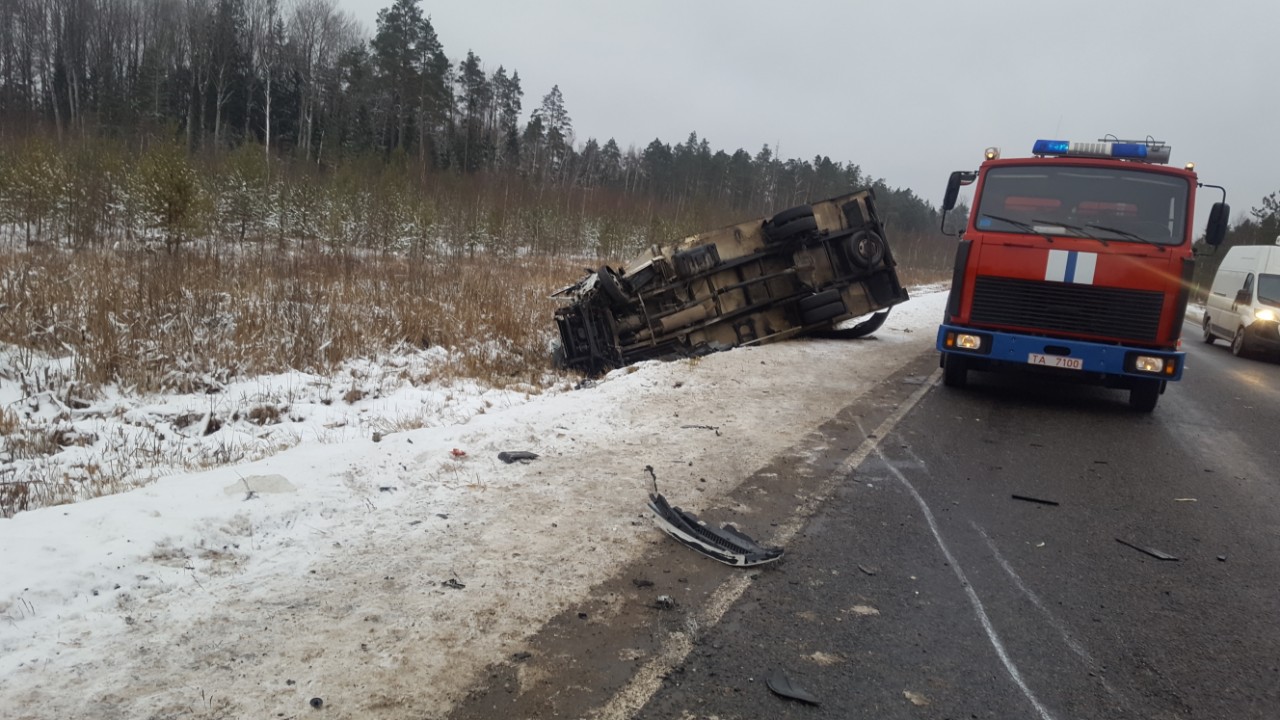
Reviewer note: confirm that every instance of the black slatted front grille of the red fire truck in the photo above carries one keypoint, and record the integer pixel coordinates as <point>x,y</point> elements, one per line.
<point>1117,313</point>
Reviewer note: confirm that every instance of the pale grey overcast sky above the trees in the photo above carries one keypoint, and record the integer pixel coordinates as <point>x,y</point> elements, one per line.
<point>907,90</point>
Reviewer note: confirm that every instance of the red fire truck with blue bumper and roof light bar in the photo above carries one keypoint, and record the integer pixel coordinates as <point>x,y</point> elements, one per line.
<point>1077,263</point>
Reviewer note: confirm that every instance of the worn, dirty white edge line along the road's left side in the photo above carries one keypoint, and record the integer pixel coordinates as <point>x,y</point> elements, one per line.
<point>648,678</point>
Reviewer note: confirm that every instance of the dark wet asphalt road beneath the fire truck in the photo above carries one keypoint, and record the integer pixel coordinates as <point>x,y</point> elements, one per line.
<point>918,586</point>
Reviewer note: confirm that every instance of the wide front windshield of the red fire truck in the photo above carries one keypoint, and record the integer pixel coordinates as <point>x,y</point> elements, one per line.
<point>1116,204</point>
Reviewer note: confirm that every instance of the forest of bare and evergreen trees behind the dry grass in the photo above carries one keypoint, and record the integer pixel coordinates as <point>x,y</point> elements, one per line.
<point>280,120</point>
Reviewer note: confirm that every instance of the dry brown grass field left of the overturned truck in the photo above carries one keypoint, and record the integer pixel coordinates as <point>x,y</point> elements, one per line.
<point>191,322</point>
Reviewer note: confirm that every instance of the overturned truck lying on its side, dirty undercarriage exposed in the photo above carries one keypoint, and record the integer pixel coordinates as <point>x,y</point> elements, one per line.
<point>802,272</point>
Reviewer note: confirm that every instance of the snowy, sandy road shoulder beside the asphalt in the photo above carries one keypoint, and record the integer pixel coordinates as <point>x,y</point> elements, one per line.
<point>387,555</point>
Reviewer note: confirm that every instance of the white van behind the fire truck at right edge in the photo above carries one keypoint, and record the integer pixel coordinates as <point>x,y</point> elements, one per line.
<point>1244,304</point>
